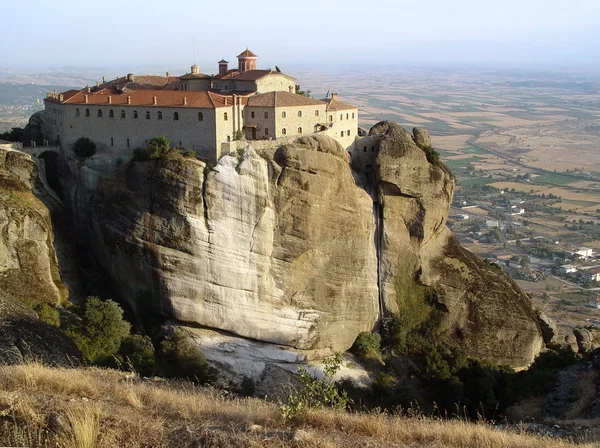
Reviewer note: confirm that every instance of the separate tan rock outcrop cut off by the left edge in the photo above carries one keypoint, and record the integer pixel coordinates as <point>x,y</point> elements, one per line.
<point>28,269</point>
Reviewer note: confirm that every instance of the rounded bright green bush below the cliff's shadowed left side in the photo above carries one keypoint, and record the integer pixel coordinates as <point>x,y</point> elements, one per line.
<point>101,330</point>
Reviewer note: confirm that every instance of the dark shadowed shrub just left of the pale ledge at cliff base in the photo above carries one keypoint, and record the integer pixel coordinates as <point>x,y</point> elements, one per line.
<point>180,359</point>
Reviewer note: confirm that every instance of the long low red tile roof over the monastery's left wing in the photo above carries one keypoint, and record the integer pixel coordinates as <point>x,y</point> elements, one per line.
<point>145,98</point>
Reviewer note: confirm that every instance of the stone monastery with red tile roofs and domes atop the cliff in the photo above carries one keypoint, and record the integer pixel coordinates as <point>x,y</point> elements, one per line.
<point>199,112</point>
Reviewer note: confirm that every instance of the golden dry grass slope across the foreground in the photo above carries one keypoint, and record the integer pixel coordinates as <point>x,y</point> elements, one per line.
<point>92,407</point>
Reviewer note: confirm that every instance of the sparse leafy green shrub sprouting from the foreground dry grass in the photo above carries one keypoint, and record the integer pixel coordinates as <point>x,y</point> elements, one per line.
<point>316,393</point>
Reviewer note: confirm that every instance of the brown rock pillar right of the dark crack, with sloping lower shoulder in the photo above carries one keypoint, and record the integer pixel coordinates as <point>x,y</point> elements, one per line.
<point>487,315</point>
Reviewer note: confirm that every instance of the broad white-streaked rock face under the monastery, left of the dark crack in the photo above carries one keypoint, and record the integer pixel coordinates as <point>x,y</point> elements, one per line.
<point>277,248</point>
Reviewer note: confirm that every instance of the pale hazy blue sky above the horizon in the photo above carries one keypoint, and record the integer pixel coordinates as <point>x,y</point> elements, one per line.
<point>307,34</point>
